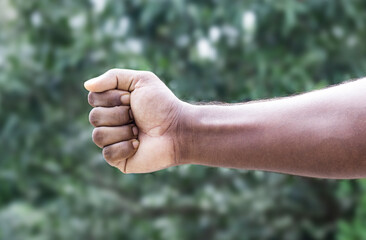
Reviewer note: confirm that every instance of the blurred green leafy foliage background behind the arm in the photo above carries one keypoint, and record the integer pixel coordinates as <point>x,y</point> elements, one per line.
<point>54,183</point>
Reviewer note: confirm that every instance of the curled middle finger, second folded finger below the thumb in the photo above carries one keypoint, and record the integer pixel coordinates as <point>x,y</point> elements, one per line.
<point>114,116</point>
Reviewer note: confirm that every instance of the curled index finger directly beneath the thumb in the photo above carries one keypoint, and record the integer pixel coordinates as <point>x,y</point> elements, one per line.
<point>109,98</point>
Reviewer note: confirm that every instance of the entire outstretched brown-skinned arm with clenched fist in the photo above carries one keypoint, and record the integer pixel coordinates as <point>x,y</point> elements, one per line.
<point>142,127</point>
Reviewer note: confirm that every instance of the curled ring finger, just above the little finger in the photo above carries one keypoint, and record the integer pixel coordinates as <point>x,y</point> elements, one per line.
<point>103,136</point>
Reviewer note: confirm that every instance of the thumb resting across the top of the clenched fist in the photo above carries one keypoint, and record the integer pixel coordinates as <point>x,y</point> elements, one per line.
<point>122,79</point>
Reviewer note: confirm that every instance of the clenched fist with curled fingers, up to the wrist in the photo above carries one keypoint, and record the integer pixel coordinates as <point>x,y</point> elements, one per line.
<point>136,118</point>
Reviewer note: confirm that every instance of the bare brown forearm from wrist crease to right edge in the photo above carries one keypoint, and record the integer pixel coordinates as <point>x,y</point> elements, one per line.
<point>319,134</point>
